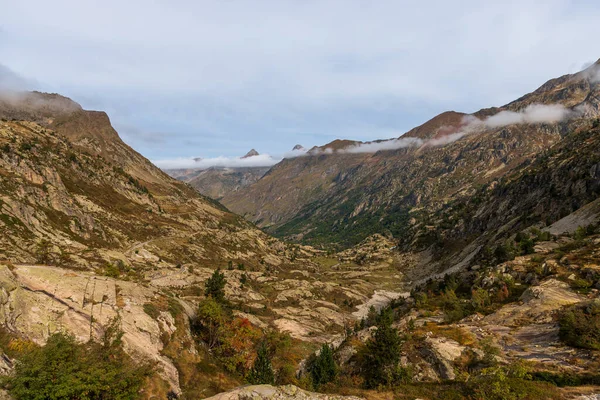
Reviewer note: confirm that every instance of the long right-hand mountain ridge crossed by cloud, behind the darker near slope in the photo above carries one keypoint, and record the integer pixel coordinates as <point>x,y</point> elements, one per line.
<point>342,197</point>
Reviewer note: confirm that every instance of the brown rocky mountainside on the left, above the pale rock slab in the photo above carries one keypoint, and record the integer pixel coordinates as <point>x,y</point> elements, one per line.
<point>67,177</point>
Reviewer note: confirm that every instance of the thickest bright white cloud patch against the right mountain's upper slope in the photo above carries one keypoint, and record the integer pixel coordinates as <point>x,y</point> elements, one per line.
<point>532,114</point>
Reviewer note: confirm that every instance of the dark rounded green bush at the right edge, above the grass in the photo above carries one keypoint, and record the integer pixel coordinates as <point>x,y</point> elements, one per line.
<point>580,325</point>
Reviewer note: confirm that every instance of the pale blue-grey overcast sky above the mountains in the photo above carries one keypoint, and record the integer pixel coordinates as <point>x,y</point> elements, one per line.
<point>213,79</point>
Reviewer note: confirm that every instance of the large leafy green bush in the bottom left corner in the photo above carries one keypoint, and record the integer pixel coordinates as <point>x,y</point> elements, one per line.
<point>66,369</point>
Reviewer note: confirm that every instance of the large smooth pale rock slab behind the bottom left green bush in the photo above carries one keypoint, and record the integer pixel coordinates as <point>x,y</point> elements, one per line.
<point>37,301</point>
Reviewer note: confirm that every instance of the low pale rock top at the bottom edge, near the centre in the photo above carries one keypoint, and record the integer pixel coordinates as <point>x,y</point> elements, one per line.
<point>288,392</point>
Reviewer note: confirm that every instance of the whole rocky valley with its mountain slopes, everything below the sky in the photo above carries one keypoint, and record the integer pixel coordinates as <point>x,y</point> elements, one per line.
<point>461,263</point>
